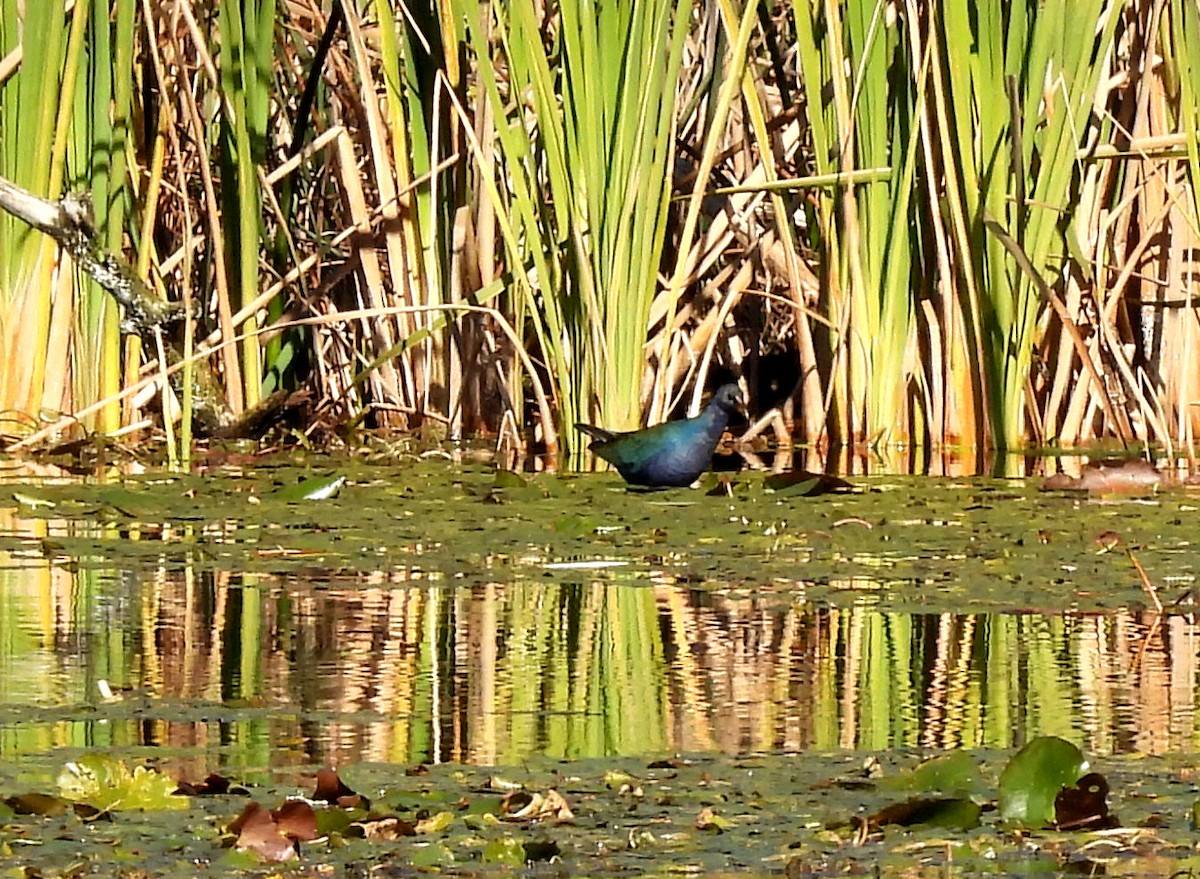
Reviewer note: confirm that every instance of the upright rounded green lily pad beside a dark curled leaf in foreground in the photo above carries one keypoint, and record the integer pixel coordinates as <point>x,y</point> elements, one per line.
<point>1034,778</point>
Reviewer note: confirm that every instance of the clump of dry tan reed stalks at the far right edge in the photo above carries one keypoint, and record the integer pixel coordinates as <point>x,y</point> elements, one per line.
<point>1132,295</point>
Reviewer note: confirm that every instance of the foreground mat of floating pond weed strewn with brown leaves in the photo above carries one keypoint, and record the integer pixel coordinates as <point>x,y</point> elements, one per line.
<point>812,815</point>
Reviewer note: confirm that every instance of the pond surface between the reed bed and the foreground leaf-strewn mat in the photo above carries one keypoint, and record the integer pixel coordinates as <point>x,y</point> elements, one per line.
<point>435,614</point>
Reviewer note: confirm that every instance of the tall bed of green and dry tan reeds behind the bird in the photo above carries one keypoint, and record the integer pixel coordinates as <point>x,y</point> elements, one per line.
<point>902,224</point>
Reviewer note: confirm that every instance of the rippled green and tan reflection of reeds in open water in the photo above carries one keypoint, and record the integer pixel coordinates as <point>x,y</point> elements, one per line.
<point>368,667</point>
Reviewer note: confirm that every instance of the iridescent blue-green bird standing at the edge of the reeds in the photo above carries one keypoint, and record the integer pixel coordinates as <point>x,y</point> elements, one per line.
<point>668,456</point>
